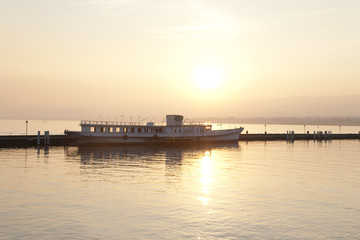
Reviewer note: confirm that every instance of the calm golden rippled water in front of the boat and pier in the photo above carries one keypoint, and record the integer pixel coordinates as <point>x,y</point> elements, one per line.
<point>255,190</point>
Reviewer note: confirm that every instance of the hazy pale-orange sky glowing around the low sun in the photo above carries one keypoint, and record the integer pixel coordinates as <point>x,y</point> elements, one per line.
<point>84,58</point>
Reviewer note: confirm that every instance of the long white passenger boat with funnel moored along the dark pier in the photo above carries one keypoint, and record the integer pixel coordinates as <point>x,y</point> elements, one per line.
<point>175,131</point>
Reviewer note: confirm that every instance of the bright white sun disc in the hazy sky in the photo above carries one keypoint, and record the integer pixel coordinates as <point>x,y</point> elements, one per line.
<point>208,77</point>
